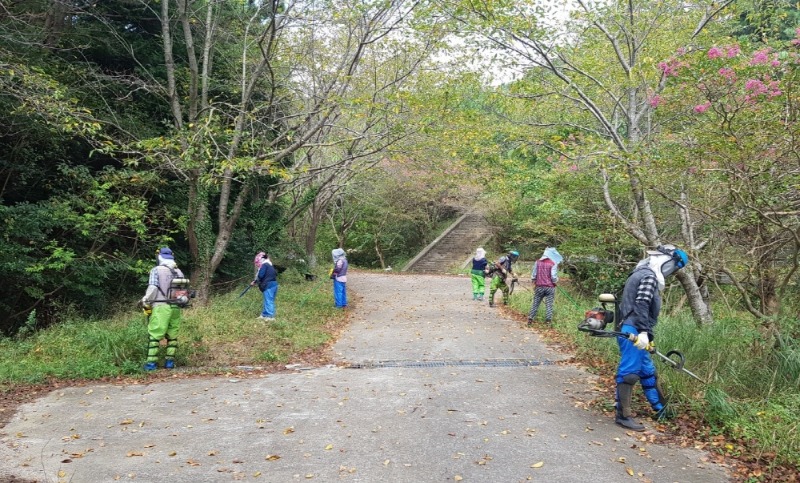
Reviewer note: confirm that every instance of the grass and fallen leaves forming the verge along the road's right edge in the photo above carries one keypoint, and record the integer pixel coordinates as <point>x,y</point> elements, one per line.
<point>750,408</point>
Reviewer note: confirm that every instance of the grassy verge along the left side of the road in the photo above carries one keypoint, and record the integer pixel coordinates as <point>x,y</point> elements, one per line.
<point>225,333</point>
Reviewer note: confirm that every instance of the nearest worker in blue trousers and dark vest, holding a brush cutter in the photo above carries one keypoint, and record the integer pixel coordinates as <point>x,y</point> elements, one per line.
<point>637,316</point>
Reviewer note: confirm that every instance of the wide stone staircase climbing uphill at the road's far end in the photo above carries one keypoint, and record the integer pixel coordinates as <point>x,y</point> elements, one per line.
<point>453,248</point>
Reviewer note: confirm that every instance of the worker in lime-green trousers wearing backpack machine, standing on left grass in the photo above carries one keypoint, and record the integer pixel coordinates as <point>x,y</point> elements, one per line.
<point>167,293</point>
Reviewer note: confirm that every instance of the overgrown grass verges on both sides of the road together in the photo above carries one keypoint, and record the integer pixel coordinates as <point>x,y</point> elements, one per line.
<point>752,398</point>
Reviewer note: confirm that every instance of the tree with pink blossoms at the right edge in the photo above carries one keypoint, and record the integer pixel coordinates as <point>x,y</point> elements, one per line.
<point>733,117</point>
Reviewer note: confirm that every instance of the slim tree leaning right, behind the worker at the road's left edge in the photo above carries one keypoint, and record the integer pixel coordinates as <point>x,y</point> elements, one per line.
<point>373,119</point>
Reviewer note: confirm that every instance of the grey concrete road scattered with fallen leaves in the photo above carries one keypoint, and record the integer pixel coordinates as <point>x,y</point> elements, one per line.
<point>439,388</point>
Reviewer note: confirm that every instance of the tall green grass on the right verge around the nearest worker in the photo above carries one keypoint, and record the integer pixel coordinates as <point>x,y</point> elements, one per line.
<point>753,395</point>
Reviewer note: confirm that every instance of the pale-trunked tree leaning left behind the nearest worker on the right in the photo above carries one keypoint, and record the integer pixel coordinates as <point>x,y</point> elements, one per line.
<point>601,65</point>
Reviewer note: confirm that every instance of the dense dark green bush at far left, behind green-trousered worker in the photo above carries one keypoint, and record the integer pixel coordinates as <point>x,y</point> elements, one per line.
<point>73,245</point>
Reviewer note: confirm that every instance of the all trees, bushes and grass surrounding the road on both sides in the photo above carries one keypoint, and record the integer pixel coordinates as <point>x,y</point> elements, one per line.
<point>224,128</point>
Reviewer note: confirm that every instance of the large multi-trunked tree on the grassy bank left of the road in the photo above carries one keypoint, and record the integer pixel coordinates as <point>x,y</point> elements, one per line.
<point>225,137</point>
